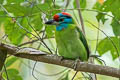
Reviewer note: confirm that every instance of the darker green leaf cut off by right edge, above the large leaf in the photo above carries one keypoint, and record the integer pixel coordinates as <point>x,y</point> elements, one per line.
<point>116,27</point>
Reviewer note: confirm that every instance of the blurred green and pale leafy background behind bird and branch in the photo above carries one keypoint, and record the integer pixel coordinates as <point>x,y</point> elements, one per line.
<point>17,17</point>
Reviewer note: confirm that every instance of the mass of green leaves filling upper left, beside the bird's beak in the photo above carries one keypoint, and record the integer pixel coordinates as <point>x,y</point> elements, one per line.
<point>20,9</point>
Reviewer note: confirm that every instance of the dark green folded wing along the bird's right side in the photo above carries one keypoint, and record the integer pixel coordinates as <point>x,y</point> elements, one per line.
<point>83,39</point>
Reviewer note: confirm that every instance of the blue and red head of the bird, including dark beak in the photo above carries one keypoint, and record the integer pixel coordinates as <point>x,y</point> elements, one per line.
<point>61,20</point>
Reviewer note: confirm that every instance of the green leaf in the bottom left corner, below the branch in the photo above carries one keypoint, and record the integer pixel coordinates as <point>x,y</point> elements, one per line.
<point>13,74</point>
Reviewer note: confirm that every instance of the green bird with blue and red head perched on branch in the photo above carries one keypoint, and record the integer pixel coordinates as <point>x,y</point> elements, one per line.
<point>70,40</point>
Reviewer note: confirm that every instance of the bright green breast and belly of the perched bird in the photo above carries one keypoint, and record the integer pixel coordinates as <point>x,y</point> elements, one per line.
<point>70,46</point>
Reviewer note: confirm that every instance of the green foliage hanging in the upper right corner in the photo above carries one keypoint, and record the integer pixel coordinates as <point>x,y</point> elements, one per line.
<point>113,7</point>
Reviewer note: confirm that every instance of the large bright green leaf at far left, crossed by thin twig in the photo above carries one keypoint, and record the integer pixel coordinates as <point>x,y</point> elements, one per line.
<point>14,32</point>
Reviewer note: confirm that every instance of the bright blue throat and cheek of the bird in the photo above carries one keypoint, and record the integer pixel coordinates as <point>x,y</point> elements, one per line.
<point>63,25</point>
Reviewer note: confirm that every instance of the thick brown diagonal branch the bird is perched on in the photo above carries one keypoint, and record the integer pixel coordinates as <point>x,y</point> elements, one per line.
<point>37,55</point>
